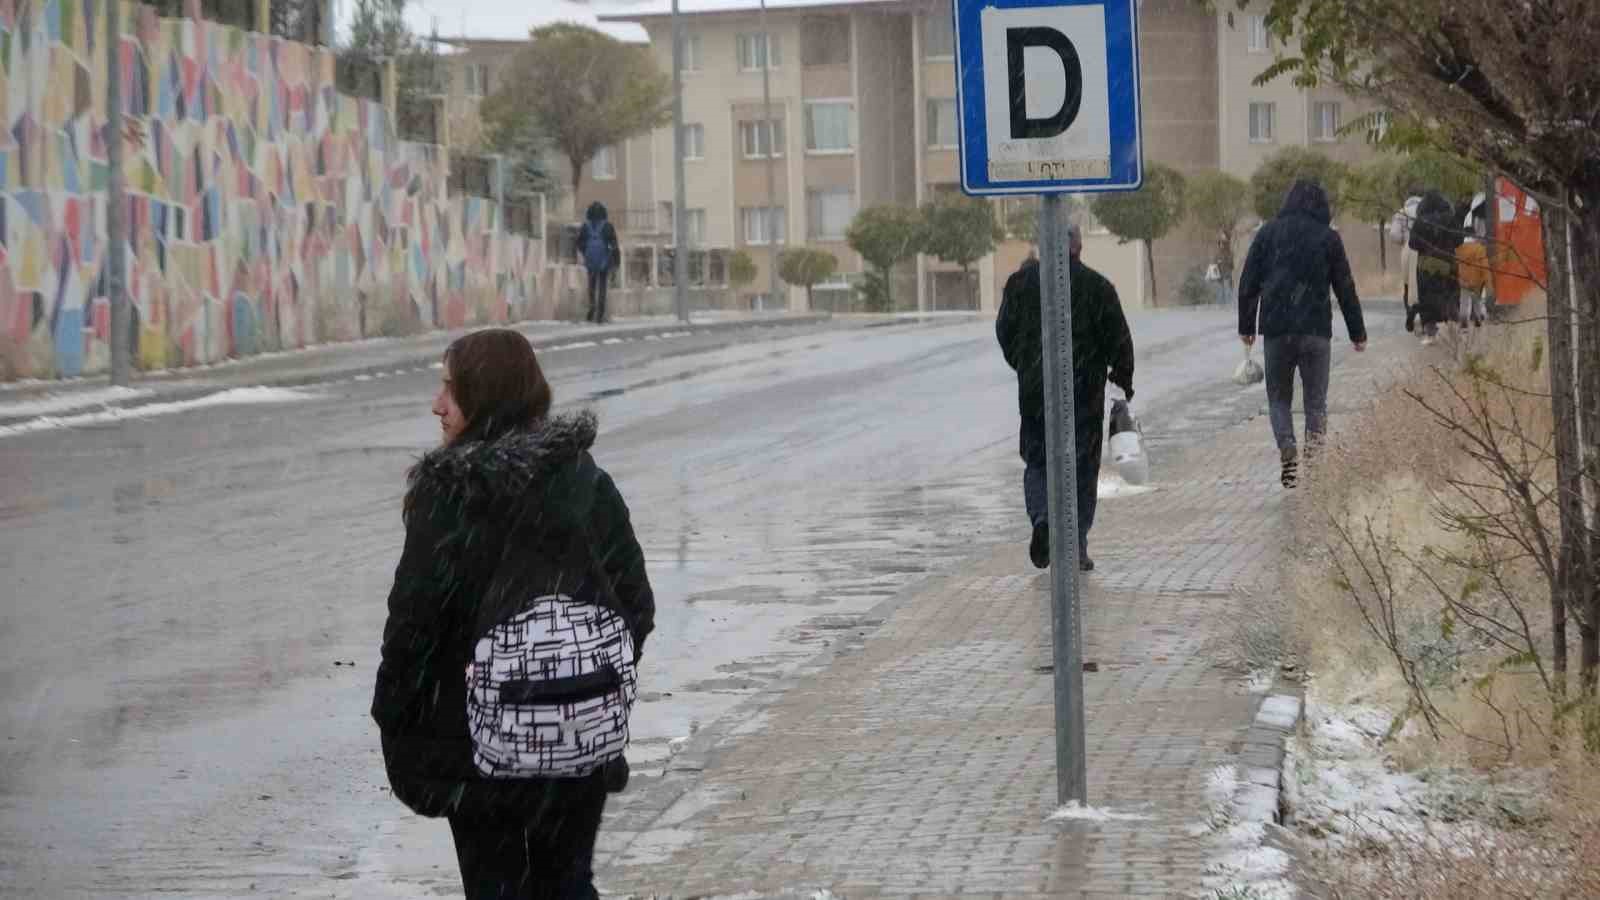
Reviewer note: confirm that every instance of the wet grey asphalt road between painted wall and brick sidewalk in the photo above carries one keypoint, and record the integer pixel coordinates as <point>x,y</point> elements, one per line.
<point>193,603</point>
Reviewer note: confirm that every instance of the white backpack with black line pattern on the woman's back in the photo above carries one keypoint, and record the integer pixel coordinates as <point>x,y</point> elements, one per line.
<point>550,689</point>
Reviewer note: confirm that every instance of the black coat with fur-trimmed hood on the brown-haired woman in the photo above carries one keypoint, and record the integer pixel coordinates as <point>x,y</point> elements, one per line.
<point>524,515</point>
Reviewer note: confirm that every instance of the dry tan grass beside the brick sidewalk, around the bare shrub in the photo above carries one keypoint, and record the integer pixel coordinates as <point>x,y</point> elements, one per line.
<point>1394,603</point>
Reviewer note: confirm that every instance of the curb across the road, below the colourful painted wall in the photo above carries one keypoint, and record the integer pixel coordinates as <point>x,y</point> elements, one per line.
<point>190,385</point>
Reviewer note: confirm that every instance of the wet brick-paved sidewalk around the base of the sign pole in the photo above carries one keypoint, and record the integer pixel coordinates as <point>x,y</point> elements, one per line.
<point>921,760</point>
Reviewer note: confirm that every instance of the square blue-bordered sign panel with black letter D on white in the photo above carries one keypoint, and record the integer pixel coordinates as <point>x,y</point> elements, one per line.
<point>1049,95</point>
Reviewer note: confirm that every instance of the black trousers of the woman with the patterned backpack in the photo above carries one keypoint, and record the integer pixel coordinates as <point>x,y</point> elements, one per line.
<point>548,856</point>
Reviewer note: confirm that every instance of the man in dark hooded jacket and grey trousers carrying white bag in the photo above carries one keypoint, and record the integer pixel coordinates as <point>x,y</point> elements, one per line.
<point>1294,263</point>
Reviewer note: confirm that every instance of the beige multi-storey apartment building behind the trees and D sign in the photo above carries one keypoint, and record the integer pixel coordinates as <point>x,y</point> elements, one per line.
<point>863,113</point>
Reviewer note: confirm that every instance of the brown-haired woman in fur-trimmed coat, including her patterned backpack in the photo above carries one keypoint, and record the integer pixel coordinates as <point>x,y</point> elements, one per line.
<point>516,622</point>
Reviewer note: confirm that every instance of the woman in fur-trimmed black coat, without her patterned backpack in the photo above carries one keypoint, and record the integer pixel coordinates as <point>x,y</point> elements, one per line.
<point>511,505</point>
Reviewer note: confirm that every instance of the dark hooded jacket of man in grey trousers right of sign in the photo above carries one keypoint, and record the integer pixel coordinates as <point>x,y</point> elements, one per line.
<point>1292,267</point>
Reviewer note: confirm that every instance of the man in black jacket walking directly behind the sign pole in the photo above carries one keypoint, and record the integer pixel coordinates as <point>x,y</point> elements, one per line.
<point>1102,345</point>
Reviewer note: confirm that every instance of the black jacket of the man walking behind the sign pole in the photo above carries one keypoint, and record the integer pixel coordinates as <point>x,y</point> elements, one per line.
<point>1102,342</point>
